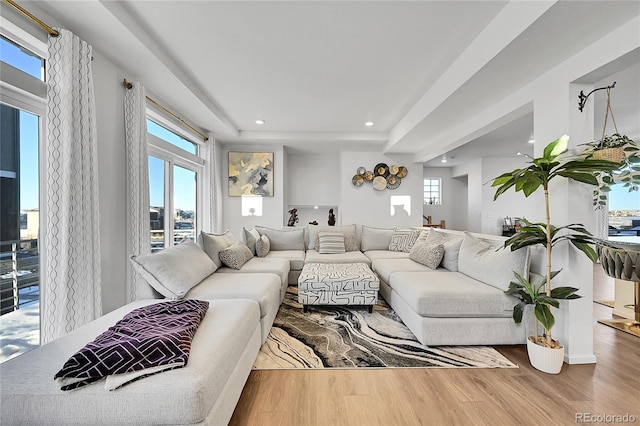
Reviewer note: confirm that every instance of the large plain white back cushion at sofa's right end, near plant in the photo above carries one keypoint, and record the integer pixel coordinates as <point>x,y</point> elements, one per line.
<point>490,263</point>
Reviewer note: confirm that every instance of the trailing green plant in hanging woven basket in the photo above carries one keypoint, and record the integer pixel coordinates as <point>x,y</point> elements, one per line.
<point>621,150</point>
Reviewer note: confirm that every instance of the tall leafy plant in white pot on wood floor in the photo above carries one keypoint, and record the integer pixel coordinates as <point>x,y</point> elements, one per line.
<point>545,353</point>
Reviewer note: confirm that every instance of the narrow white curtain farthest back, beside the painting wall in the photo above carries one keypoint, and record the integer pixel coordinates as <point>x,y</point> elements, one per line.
<point>212,188</point>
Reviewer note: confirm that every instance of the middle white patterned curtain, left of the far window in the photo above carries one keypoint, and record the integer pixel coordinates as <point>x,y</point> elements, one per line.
<point>138,229</point>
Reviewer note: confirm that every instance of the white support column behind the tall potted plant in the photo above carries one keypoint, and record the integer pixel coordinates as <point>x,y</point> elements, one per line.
<point>556,113</point>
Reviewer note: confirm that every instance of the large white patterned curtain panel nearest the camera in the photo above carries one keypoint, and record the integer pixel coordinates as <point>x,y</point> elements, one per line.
<point>71,295</point>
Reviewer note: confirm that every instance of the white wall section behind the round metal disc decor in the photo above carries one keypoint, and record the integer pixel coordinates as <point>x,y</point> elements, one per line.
<point>365,205</point>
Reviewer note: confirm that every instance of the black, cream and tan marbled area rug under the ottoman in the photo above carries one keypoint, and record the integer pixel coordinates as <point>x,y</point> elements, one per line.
<point>351,337</point>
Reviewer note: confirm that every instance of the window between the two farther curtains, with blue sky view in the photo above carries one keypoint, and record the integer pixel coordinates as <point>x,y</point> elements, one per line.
<point>175,171</point>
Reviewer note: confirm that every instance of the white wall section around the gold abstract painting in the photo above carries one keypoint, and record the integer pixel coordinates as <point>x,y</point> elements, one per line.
<point>273,208</point>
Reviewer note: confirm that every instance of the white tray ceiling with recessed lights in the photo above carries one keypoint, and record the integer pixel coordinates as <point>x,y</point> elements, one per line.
<point>317,70</point>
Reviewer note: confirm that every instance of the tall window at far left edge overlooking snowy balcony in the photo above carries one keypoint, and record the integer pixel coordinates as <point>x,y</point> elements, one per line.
<point>22,104</point>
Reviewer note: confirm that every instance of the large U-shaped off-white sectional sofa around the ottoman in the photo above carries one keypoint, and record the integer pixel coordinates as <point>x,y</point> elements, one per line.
<point>457,301</point>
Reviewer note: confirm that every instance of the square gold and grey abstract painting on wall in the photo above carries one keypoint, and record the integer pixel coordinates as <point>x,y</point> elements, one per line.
<point>250,173</point>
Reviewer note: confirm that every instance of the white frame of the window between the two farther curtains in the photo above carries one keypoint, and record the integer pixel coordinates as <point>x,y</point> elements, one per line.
<point>173,155</point>
